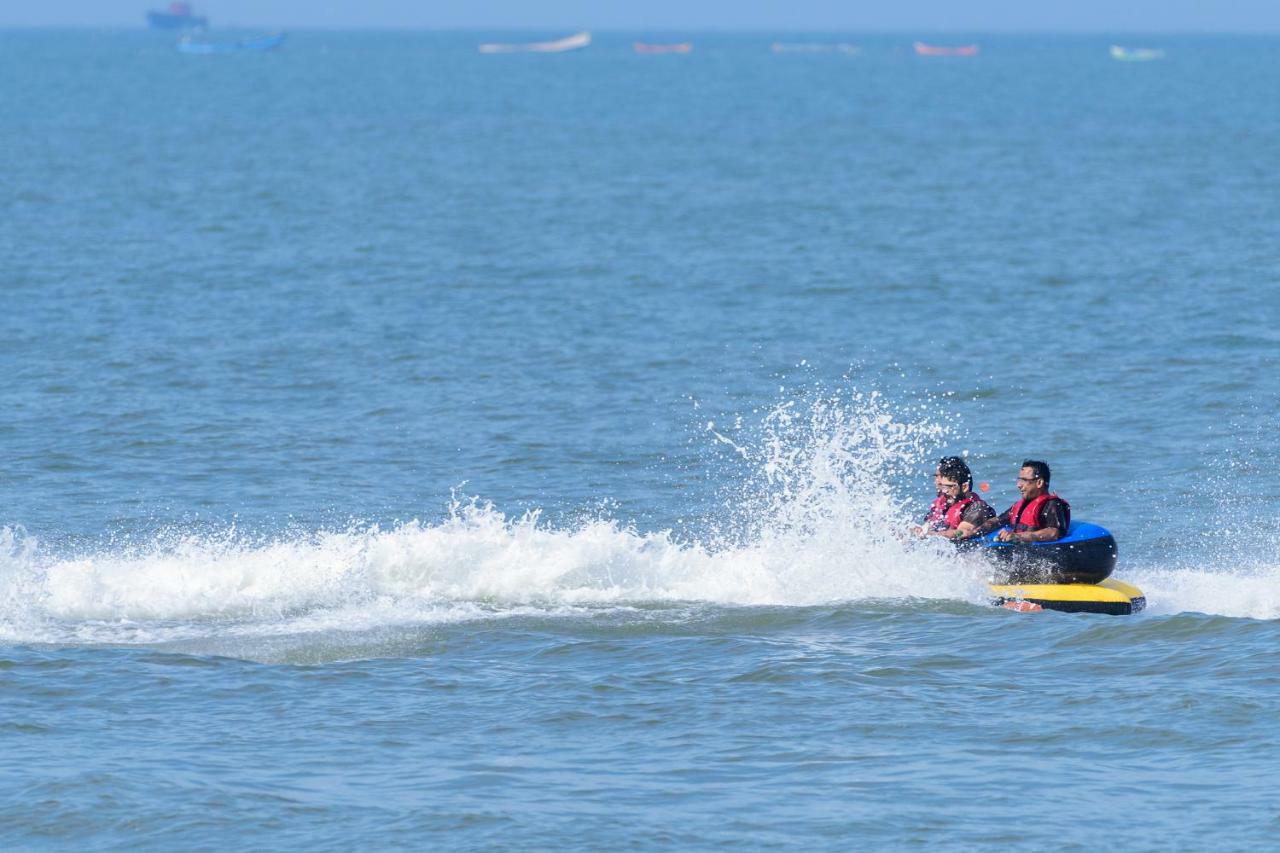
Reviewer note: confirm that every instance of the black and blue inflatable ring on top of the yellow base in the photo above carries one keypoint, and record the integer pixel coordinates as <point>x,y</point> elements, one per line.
<point>1086,555</point>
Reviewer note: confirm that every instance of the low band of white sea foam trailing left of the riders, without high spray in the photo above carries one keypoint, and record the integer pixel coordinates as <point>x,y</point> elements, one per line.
<point>477,564</point>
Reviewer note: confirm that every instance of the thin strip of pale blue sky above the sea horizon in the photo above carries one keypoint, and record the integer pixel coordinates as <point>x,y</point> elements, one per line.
<point>798,16</point>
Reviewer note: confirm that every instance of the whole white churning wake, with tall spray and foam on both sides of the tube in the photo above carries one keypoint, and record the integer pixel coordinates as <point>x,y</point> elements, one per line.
<point>813,519</point>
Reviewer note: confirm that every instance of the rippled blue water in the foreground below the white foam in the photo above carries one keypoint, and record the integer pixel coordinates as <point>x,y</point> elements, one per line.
<point>883,723</point>
